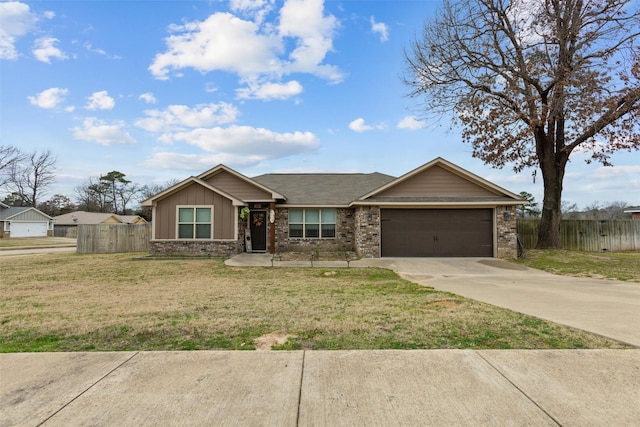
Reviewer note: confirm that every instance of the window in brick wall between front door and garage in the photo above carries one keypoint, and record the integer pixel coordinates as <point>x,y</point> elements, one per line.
<point>312,223</point>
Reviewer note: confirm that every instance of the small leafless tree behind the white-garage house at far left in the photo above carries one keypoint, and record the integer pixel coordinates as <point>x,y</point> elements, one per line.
<point>32,177</point>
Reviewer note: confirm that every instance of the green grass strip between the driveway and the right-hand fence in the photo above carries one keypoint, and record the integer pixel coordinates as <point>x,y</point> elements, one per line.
<point>607,265</point>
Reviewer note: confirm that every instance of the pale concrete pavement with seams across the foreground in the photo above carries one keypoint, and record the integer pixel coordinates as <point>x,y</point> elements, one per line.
<point>322,388</point>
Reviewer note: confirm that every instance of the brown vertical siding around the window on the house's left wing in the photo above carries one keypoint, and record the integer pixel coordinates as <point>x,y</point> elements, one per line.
<point>223,212</point>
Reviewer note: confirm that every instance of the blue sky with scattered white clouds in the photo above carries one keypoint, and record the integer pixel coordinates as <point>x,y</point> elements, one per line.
<point>164,90</point>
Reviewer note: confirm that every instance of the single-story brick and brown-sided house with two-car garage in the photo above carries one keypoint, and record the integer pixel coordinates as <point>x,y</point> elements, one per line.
<point>435,210</point>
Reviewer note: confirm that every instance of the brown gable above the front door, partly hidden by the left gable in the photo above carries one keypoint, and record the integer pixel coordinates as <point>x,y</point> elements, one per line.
<point>239,185</point>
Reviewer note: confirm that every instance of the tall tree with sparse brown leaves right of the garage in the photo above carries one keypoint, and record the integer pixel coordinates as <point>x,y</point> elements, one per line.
<point>532,81</point>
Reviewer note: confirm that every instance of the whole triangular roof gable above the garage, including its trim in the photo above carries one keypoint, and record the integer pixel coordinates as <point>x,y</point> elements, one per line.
<point>437,179</point>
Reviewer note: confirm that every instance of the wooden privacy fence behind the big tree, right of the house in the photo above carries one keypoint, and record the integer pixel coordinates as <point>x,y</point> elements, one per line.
<point>587,235</point>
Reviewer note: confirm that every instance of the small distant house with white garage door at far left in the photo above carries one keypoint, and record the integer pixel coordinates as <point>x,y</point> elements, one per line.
<point>24,222</point>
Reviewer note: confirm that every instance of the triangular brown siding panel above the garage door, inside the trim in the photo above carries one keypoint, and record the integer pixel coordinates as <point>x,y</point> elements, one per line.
<point>436,181</point>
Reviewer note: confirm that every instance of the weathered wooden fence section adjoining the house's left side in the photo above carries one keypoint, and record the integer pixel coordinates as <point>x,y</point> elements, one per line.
<point>111,238</point>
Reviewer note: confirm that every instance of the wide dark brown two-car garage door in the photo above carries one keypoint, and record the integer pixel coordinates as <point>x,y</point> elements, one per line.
<point>436,232</point>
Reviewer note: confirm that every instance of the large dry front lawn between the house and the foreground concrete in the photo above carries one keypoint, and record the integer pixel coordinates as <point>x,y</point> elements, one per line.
<point>68,302</point>
